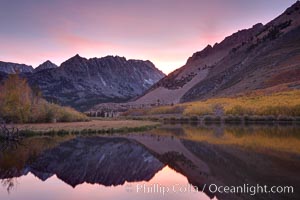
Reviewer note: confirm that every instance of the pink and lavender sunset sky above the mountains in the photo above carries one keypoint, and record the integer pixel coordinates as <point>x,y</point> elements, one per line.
<point>165,32</point>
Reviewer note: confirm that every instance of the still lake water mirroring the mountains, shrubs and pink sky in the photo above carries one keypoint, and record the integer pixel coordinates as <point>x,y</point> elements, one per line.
<point>172,162</point>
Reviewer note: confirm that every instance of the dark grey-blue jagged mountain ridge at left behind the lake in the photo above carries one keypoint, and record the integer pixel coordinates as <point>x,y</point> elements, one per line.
<point>81,83</point>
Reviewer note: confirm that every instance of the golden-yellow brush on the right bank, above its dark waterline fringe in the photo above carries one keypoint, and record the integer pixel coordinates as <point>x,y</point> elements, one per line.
<point>255,103</point>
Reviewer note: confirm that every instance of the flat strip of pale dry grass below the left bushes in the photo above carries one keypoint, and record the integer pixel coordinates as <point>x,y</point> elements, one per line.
<point>79,126</point>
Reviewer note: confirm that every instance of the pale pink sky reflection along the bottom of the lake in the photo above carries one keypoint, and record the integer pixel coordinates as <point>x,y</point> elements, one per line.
<point>30,187</point>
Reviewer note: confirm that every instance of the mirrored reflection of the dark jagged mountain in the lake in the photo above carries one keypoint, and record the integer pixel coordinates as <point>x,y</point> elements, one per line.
<point>106,161</point>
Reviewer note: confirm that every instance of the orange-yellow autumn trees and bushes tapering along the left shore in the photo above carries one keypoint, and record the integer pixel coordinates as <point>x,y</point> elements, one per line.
<point>21,104</point>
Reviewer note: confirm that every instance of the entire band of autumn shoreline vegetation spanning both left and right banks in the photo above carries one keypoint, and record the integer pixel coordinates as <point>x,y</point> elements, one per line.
<point>35,116</point>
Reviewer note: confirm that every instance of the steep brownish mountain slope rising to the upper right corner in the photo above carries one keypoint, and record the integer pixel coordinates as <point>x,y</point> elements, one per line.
<point>250,59</point>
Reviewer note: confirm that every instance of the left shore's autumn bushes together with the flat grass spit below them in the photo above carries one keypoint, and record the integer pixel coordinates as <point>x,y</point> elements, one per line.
<point>23,109</point>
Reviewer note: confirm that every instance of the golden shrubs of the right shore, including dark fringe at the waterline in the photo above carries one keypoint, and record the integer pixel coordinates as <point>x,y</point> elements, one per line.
<point>281,107</point>
